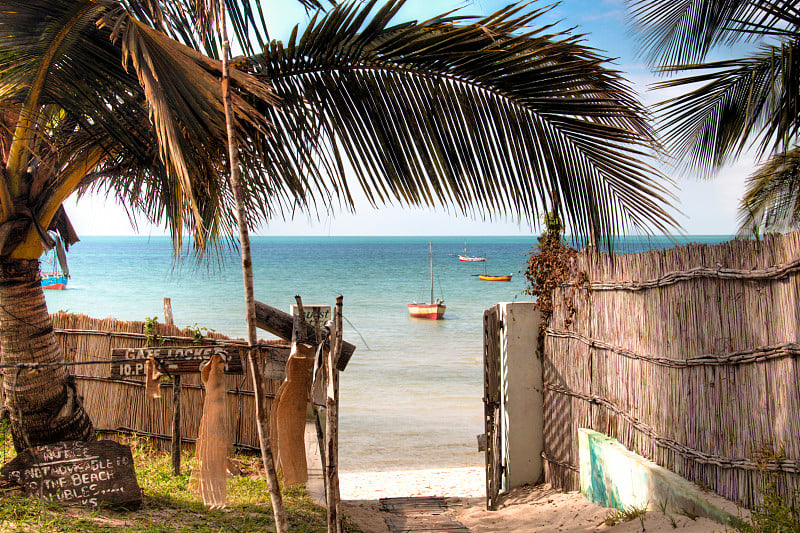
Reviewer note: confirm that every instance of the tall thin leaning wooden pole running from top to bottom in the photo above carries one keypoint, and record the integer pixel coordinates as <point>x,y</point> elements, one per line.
<point>262,422</point>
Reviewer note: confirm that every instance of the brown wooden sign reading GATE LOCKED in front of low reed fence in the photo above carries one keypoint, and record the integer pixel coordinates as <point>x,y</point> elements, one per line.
<point>127,362</point>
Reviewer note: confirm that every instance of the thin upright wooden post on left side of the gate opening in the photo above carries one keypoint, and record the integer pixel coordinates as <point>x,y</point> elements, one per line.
<point>332,422</point>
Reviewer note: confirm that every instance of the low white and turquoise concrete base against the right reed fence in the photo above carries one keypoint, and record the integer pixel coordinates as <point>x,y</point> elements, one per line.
<point>613,476</point>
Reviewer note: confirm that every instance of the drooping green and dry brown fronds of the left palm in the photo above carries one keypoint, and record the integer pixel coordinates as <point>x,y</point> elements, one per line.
<point>128,75</point>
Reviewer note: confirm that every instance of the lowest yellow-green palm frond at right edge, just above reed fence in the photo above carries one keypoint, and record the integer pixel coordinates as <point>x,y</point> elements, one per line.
<point>771,202</point>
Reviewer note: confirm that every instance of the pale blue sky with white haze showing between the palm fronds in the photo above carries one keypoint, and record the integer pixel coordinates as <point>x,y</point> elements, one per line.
<point>706,206</point>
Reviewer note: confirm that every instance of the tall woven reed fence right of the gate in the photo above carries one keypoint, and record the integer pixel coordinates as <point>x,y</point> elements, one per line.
<point>688,356</point>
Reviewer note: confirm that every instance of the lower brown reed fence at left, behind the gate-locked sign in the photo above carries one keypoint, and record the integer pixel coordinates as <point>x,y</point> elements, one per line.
<point>120,406</point>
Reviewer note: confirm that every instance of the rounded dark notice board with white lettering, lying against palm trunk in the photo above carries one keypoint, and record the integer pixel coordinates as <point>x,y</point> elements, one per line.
<point>98,473</point>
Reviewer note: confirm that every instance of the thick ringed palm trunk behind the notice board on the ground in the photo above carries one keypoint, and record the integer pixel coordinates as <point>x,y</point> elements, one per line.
<point>43,403</point>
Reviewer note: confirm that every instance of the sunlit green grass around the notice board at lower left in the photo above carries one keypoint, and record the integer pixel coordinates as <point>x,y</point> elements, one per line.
<point>169,504</point>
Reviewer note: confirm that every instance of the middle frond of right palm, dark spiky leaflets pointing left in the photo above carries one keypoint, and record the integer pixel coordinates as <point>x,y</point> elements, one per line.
<point>739,103</point>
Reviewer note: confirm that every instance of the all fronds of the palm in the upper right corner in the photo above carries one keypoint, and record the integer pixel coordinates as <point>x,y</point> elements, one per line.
<point>732,105</point>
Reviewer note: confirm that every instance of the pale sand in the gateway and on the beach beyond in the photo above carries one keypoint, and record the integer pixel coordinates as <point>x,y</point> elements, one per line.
<point>537,509</point>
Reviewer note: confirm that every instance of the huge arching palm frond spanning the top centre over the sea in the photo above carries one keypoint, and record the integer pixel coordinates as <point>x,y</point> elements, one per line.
<point>486,115</point>
